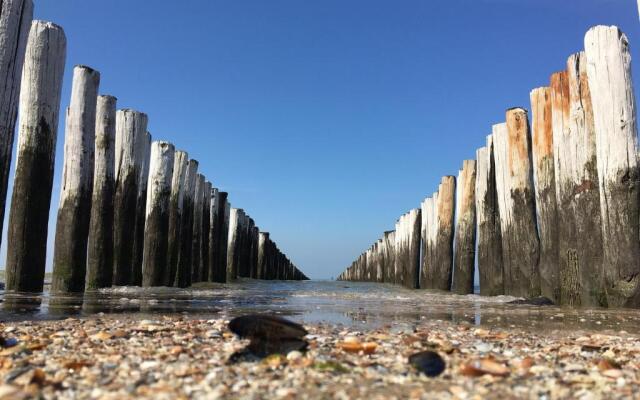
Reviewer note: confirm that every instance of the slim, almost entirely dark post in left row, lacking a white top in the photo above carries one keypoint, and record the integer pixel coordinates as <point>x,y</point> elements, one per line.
<point>218,240</point>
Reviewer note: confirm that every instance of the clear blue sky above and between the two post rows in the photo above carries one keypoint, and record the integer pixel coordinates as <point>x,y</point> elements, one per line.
<point>325,120</point>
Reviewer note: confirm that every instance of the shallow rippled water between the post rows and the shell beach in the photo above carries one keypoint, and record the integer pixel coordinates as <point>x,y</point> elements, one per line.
<point>355,304</point>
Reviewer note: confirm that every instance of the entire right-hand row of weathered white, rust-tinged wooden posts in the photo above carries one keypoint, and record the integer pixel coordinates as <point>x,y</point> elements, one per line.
<point>550,209</point>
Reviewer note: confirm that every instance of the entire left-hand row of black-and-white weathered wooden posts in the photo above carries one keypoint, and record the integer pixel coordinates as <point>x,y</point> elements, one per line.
<point>132,211</point>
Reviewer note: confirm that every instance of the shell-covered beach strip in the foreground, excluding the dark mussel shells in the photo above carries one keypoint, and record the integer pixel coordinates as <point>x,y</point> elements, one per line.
<point>181,357</point>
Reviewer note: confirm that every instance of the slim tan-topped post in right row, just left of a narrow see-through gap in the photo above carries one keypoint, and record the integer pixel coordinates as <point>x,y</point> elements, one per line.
<point>465,240</point>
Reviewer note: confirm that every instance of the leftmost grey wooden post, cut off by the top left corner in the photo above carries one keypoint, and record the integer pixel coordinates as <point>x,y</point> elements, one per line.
<point>15,22</point>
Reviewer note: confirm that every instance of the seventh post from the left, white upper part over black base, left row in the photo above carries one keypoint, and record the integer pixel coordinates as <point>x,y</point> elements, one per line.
<point>156,235</point>
